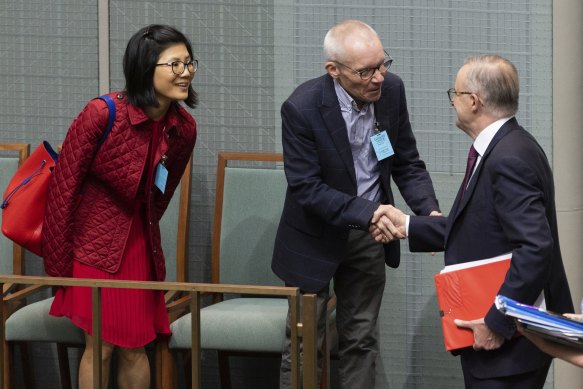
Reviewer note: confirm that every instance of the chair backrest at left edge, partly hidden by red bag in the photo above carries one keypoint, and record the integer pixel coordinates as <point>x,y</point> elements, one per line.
<point>11,157</point>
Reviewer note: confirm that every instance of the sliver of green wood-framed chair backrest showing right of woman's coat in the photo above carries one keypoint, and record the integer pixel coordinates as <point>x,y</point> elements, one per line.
<point>174,229</point>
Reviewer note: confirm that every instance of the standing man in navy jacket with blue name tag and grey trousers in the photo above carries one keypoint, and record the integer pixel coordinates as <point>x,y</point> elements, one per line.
<point>336,180</point>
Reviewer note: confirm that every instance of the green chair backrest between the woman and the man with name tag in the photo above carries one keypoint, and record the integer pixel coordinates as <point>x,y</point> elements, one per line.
<point>249,201</point>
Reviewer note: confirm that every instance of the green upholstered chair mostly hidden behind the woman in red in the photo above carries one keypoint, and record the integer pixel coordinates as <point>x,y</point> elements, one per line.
<point>32,323</point>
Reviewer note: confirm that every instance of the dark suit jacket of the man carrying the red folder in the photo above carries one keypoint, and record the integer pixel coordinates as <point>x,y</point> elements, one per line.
<point>509,206</point>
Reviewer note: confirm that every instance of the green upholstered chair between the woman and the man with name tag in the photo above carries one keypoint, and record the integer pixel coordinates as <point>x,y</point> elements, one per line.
<point>250,192</point>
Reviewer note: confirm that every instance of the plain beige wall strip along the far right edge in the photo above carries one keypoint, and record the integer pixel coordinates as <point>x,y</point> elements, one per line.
<point>567,154</point>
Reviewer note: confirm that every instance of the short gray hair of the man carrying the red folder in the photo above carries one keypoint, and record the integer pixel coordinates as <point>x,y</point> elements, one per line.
<point>495,80</point>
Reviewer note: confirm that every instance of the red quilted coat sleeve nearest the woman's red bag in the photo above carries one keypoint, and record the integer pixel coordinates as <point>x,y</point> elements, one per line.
<point>65,187</point>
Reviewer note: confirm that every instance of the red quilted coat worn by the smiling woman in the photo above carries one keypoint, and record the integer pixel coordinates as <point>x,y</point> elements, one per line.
<point>89,205</point>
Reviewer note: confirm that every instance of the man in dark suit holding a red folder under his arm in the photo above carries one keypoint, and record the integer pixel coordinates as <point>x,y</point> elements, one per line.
<point>506,205</point>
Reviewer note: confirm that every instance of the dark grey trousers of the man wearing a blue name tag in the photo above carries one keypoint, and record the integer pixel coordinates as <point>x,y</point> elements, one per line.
<point>359,283</point>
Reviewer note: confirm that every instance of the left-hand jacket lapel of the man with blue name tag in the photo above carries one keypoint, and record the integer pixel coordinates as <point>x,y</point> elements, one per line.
<point>334,121</point>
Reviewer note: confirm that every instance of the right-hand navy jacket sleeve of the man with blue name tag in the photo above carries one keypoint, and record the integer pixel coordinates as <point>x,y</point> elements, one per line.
<point>408,170</point>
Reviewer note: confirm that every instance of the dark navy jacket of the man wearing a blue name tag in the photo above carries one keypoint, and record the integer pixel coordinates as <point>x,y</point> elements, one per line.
<point>321,204</point>
